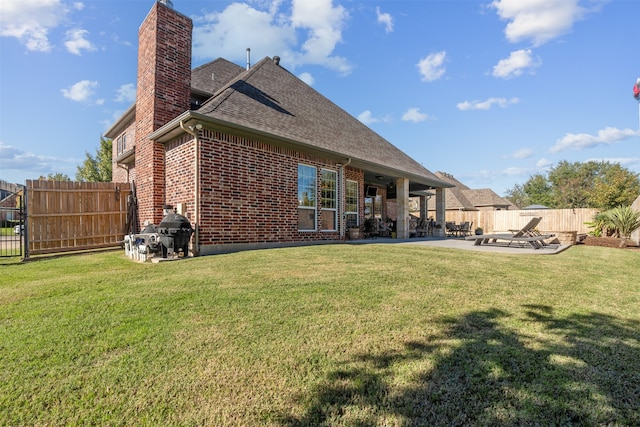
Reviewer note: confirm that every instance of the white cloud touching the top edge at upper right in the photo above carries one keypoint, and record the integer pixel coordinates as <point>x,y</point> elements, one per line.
<point>538,20</point>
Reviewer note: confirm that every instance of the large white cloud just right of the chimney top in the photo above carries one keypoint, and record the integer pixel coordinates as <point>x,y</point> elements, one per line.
<point>269,31</point>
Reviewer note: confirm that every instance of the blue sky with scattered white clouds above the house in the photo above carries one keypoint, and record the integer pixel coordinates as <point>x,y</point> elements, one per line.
<point>488,91</point>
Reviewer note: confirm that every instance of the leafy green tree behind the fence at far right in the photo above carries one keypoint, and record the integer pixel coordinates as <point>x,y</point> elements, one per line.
<point>599,185</point>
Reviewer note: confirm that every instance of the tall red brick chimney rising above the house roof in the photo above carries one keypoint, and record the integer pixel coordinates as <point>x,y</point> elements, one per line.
<point>163,92</point>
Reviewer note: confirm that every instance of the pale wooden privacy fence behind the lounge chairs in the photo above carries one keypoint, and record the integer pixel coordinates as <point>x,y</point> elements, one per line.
<point>553,220</point>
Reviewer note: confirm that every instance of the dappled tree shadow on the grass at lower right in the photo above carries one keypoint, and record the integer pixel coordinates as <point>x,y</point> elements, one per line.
<point>581,370</point>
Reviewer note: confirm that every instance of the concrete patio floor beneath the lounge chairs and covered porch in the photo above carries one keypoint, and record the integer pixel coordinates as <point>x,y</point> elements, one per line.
<point>468,245</point>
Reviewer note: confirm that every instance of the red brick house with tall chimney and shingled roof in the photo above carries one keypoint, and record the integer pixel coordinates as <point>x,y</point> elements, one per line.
<point>254,157</point>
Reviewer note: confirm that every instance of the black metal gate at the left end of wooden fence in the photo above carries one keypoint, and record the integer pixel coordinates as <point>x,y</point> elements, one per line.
<point>12,226</point>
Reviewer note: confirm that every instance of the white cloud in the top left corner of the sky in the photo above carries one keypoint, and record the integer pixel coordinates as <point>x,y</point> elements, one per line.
<point>30,21</point>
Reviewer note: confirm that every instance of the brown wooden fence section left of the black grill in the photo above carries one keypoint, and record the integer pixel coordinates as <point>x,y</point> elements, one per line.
<point>71,216</point>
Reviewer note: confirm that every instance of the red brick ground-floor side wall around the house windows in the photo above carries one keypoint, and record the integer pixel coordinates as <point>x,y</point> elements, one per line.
<point>249,189</point>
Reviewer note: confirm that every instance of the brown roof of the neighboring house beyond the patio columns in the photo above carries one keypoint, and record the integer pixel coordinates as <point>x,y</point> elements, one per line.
<point>462,197</point>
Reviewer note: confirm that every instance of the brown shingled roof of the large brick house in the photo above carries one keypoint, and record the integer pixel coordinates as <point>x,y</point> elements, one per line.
<point>270,102</point>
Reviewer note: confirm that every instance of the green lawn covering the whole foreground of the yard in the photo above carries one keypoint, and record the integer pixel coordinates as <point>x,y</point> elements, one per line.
<point>325,335</point>
